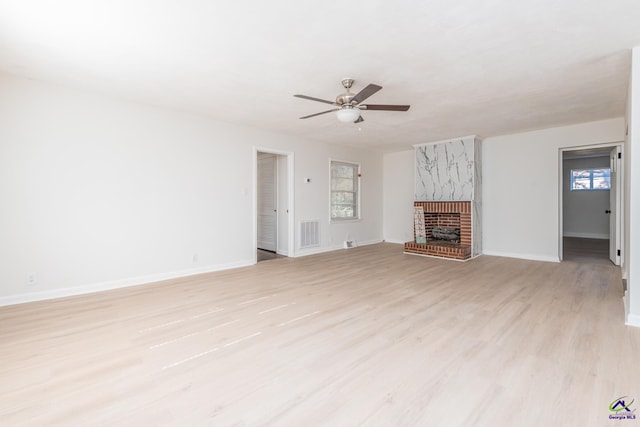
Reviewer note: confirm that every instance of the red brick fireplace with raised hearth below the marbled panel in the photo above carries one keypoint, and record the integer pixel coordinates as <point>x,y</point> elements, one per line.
<point>452,215</point>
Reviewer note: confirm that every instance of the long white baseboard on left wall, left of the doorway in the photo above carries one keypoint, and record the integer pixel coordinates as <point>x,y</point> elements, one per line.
<point>115,284</point>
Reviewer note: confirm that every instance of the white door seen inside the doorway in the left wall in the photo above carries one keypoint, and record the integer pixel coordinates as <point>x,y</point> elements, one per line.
<point>267,204</point>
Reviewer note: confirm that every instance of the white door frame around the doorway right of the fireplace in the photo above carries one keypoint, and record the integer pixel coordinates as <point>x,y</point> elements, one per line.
<point>619,195</point>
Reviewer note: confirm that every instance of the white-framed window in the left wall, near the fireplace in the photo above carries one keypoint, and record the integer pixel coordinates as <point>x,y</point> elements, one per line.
<point>345,191</point>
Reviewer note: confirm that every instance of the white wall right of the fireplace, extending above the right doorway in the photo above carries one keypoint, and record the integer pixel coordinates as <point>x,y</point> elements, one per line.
<point>521,175</point>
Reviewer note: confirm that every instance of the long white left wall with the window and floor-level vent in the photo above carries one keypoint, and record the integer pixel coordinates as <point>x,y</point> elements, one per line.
<point>99,193</point>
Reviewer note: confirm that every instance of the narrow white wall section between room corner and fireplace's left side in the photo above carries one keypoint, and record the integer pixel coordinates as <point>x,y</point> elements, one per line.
<point>398,189</point>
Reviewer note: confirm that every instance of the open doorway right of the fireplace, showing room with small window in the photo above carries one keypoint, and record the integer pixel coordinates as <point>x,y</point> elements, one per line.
<point>590,205</point>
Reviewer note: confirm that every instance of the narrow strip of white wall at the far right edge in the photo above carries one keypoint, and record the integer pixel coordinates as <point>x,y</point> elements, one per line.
<point>631,158</point>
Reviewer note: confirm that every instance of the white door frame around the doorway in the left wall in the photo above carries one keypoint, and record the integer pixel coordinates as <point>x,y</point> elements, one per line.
<point>290,199</point>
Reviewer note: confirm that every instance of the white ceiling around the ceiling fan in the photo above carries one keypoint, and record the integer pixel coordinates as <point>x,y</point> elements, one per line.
<point>466,67</point>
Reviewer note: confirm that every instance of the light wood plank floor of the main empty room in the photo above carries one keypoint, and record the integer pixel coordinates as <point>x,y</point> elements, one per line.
<point>365,336</point>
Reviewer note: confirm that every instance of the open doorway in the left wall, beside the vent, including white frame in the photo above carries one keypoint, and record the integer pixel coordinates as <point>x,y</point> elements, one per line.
<point>273,204</point>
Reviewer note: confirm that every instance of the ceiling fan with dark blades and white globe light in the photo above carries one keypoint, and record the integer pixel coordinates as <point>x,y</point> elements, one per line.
<point>348,105</point>
